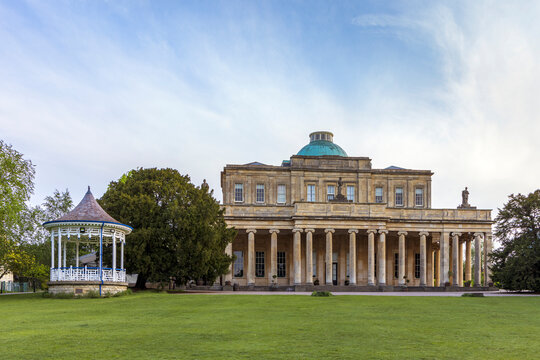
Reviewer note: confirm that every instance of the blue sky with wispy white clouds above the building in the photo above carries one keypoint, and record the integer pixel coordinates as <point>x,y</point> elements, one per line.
<point>92,89</point>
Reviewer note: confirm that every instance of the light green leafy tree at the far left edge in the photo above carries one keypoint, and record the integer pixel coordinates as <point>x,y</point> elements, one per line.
<point>16,186</point>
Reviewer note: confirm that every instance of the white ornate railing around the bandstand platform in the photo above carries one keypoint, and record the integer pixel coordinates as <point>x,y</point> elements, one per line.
<point>87,274</point>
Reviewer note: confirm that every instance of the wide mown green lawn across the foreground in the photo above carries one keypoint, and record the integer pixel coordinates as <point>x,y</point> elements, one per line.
<point>163,326</point>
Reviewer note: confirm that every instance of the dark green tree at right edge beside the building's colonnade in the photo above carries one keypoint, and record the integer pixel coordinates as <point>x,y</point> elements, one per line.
<point>516,264</point>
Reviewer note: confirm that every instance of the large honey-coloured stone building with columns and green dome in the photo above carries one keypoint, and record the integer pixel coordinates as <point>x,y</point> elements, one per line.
<point>329,219</point>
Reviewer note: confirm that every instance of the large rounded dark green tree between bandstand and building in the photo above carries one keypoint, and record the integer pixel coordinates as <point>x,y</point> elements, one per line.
<point>178,228</point>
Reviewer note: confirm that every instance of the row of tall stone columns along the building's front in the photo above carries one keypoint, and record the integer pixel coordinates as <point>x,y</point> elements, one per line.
<point>448,266</point>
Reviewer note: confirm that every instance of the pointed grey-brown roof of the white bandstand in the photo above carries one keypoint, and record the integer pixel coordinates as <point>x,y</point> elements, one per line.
<point>88,210</point>
